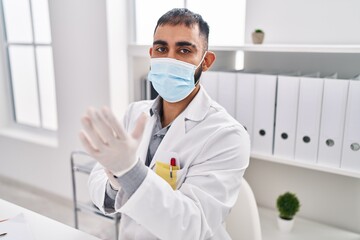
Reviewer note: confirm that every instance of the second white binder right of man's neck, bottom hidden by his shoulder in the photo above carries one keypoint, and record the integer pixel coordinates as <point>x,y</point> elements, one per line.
<point>227,91</point>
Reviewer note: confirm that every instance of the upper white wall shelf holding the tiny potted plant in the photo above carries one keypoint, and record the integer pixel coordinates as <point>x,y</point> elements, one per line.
<point>143,50</point>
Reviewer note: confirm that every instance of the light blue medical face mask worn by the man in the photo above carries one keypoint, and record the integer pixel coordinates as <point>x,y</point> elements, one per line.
<point>172,79</point>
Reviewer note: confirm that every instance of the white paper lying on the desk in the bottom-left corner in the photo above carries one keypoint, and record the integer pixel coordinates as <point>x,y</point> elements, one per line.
<point>16,228</point>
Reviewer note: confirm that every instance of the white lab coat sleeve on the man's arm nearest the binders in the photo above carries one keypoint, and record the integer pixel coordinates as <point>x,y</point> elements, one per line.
<point>200,206</point>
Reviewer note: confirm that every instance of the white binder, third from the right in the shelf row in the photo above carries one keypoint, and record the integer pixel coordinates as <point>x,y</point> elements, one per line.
<point>308,123</point>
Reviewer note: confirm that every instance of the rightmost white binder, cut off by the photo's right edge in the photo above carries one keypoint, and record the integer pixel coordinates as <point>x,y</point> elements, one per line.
<point>351,147</point>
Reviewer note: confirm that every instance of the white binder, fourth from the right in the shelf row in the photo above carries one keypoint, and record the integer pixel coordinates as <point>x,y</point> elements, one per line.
<point>286,116</point>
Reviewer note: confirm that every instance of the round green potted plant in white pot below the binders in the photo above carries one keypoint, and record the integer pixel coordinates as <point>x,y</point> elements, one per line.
<point>288,205</point>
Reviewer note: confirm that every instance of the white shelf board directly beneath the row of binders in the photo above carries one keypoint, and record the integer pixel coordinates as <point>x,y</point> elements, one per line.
<point>312,166</point>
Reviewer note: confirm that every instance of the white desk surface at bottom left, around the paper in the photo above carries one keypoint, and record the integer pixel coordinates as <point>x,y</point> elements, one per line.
<point>41,227</point>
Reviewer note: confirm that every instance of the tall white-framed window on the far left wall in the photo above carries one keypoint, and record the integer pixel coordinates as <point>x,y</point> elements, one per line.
<point>29,58</point>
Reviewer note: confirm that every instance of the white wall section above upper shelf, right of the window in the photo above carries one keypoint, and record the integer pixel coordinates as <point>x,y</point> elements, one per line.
<point>304,21</point>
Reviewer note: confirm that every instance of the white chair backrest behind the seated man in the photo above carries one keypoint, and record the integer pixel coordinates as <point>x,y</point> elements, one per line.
<point>243,222</point>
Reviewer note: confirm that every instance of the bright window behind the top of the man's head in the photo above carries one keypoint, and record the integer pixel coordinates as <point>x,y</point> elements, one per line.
<point>226,19</point>
